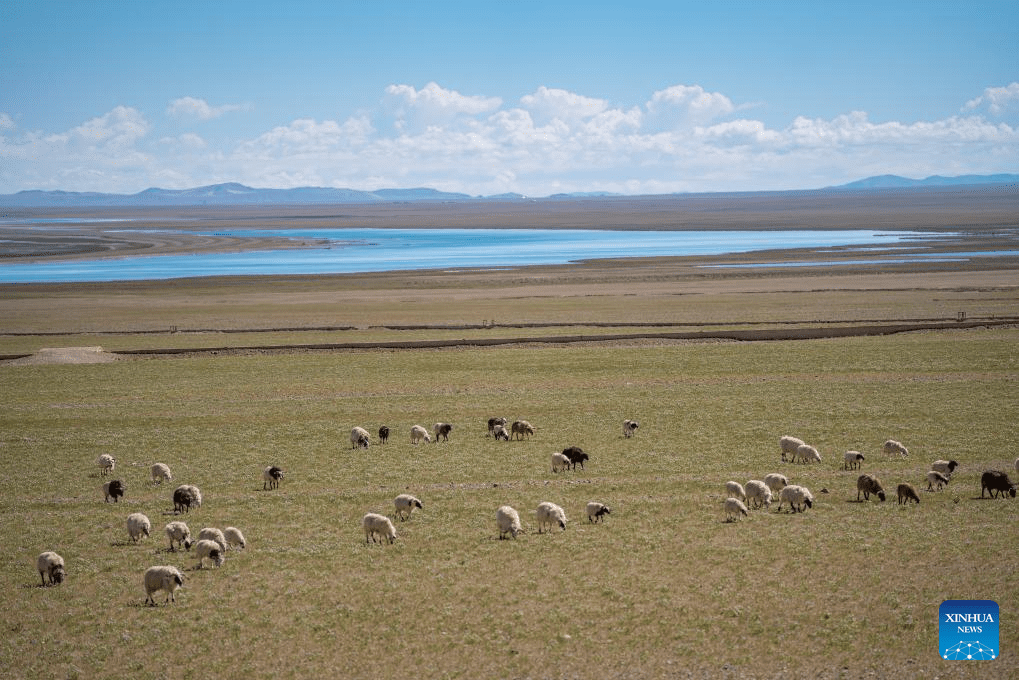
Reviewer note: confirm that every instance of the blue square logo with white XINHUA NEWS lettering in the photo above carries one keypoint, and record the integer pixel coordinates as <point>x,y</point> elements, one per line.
<point>969,631</point>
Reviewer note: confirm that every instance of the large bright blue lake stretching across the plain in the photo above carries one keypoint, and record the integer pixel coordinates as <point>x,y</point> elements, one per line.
<point>363,250</point>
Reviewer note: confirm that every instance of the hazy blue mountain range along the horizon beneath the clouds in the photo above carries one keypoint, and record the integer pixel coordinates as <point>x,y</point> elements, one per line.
<point>236,194</point>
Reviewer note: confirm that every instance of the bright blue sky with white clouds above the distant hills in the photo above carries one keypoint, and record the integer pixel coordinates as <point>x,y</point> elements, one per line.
<point>499,96</point>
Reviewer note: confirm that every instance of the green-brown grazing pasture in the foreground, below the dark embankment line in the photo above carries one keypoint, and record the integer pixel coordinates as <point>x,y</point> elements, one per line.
<point>665,588</point>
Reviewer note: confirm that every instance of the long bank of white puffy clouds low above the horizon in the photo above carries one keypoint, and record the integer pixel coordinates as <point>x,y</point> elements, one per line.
<point>680,139</point>
